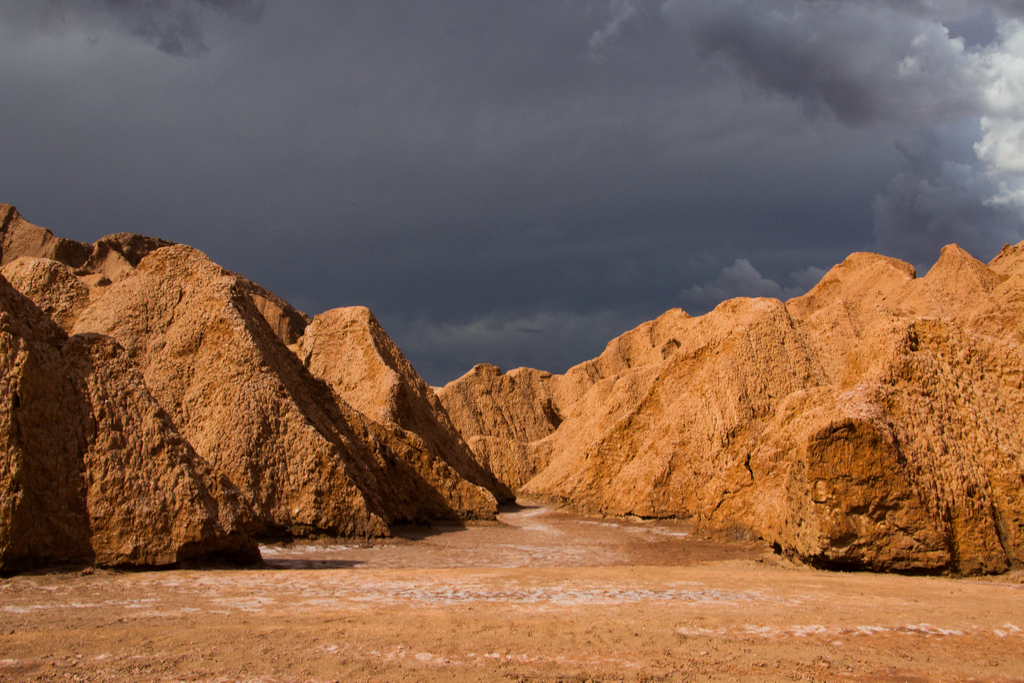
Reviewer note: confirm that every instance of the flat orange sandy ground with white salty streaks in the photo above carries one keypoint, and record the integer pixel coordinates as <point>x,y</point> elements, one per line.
<point>541,597</point>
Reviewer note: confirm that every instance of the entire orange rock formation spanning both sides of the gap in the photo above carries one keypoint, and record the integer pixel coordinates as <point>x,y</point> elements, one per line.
<point>158,408</point>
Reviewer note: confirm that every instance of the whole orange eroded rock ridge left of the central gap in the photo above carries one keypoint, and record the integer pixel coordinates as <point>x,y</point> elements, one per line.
<point>165,397</point>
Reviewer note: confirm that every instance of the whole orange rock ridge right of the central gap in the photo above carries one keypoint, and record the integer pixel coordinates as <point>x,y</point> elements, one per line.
<point>873,423</point>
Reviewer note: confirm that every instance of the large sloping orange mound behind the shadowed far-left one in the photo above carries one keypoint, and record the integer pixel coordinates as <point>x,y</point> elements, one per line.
<point>305,460</point>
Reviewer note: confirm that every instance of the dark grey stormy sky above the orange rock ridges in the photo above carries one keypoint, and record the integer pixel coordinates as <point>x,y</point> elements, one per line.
<point>519,183</point>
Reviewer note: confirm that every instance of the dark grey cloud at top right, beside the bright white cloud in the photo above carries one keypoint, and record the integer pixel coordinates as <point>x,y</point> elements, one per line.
<point>862,62</point>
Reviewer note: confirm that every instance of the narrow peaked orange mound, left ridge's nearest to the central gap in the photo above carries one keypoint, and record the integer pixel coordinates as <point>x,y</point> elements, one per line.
<point>349,350</point>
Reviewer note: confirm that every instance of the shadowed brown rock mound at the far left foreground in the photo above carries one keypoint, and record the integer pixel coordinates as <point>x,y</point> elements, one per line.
<point>92,471</point>
